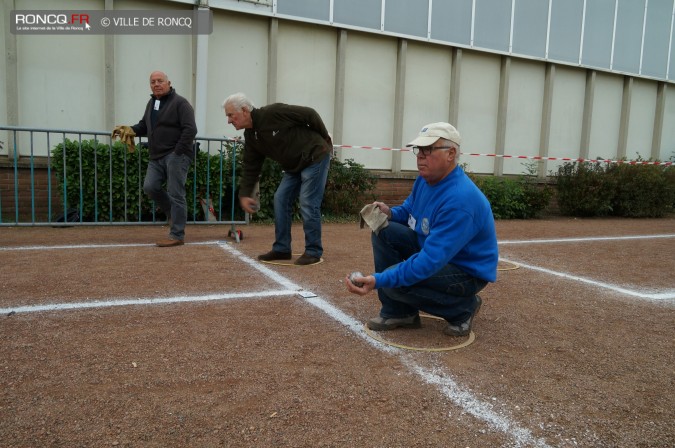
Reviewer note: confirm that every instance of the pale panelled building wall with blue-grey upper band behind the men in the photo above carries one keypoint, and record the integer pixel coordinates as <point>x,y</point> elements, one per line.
<point>555,78</point>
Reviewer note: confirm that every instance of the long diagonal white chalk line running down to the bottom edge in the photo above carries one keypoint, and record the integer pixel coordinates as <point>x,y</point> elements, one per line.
<point>441,379</point>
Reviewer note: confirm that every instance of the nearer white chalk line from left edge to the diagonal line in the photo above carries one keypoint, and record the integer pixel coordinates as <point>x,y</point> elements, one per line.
<point>144,301</point>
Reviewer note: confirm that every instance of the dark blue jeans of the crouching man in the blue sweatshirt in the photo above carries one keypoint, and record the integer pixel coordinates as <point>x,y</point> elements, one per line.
<point>450,293</point>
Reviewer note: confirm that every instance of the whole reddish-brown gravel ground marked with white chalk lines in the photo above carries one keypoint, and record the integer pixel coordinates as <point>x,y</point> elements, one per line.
<point>107,340</point>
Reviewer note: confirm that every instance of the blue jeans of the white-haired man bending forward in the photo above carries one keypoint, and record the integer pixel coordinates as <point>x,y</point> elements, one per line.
<point>309,184</point>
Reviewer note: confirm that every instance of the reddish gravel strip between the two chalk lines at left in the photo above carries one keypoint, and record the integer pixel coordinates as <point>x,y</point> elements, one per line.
<point>112,272</point>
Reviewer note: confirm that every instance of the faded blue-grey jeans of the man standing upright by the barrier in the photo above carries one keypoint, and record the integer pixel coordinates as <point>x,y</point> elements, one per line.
<point>173,169</point>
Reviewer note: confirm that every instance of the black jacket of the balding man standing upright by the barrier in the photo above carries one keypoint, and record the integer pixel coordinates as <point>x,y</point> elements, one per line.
<point>174,129</point>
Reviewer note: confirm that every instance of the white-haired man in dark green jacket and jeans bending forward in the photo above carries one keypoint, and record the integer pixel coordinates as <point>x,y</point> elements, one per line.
<point>296,137</point>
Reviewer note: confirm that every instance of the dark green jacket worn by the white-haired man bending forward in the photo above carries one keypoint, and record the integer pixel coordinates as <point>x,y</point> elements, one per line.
<point>293,136</point>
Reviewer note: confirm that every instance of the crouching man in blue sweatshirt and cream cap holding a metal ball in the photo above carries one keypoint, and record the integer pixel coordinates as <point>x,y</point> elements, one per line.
<point>439,248</point>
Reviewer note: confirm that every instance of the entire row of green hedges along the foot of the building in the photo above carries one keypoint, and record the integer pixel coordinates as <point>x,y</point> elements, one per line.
<point>105,183</point>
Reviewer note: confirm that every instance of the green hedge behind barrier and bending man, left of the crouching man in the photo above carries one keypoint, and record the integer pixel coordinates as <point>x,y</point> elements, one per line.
<point>87,169</point>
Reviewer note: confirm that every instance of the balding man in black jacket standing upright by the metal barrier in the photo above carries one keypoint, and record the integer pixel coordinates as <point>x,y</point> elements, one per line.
<point>169,124</point>
